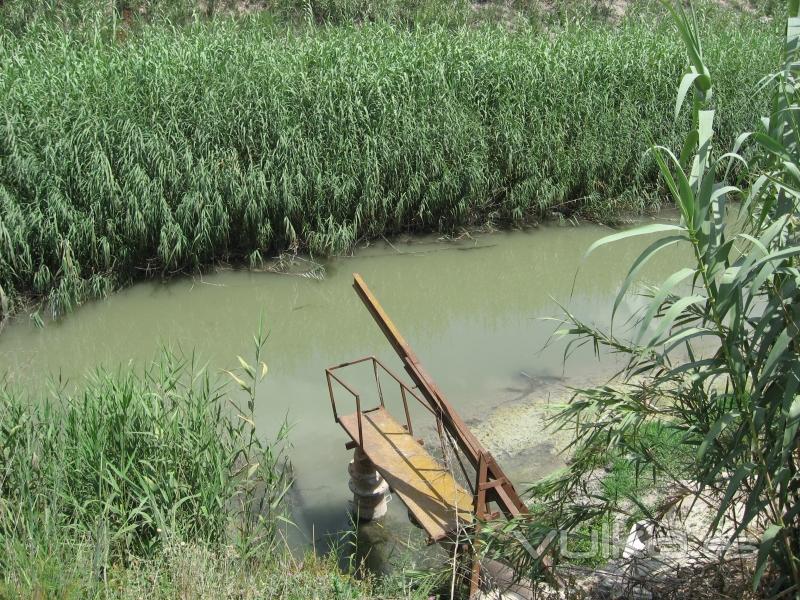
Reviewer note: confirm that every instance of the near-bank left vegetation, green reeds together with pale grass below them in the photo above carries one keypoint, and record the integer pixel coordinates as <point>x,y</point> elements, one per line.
<point>150,484</point>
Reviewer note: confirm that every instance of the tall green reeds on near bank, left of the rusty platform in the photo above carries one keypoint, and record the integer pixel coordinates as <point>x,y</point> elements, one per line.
<point>135,464</point>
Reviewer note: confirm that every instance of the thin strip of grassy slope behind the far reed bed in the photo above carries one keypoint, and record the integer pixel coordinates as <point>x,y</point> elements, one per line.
<point>118,17</point>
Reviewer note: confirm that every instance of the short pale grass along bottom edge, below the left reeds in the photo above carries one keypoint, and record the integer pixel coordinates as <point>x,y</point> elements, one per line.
<point>183,571</point>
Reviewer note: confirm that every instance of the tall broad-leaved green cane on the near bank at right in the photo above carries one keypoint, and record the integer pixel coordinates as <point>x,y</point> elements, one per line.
<point>714,356</point>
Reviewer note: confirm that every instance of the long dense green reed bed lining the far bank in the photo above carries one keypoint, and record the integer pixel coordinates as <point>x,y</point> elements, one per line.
<point>179,147</point>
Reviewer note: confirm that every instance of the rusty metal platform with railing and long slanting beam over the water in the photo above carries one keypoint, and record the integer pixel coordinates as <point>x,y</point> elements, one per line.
<point>430,491</point>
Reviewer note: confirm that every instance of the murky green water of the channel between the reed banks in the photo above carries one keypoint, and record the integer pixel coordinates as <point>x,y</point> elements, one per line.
<point>470,309</point>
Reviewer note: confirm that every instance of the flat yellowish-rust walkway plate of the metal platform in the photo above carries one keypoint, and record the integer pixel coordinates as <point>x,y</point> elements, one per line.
<point>439,504</point>
